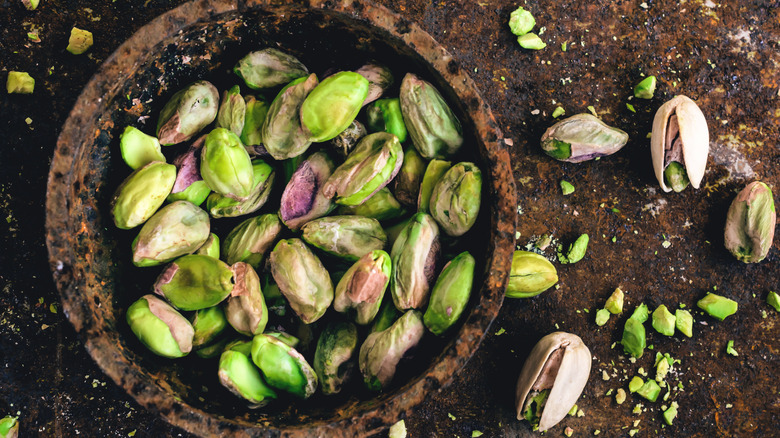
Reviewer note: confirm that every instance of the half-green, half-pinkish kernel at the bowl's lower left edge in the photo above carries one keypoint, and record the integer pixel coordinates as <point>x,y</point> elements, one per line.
<point>160,327</point>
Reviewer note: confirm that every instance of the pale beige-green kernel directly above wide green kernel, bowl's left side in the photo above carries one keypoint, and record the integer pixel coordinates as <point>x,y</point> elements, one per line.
<point>177,229</point>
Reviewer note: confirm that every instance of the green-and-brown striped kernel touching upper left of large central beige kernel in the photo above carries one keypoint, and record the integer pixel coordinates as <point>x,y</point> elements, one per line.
<point>251,240</point>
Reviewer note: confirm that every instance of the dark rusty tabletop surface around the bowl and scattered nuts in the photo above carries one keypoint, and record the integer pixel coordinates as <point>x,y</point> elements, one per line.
<point>723,55</point>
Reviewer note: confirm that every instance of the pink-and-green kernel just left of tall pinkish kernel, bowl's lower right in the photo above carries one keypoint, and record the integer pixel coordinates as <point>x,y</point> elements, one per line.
<point>360,290</point>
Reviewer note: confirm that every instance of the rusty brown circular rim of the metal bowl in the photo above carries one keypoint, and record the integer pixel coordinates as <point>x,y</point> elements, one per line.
<point>502,221</point>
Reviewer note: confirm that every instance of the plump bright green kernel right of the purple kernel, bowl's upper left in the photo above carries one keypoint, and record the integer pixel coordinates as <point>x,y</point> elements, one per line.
<point>226,166</point>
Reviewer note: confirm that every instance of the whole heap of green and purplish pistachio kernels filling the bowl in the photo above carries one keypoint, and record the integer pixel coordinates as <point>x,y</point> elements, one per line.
<point>357,176</point>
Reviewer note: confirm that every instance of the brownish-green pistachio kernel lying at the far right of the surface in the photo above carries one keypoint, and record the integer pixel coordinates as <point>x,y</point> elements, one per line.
<point>750,223</point>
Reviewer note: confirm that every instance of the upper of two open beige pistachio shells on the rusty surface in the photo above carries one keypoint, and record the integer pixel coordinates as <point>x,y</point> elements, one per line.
<point>680,135</point>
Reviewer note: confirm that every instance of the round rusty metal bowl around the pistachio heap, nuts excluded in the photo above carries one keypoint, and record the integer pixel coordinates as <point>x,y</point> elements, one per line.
<point>90,258</point>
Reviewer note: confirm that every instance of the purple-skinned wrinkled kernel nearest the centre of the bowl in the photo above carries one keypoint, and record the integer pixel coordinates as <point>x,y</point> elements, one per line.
<point>302,199</point>
